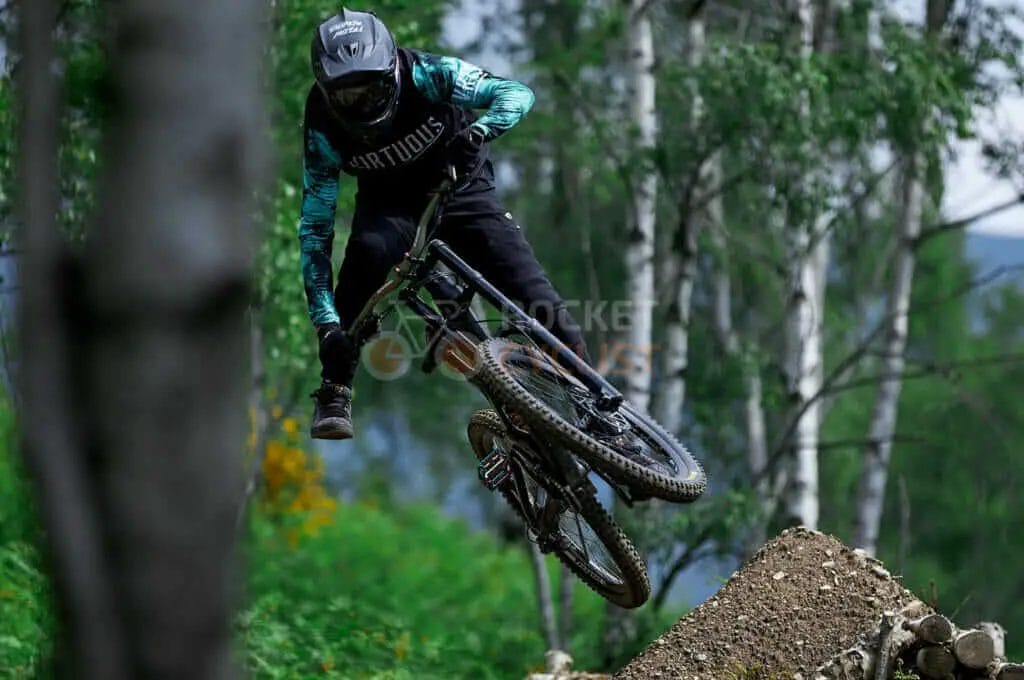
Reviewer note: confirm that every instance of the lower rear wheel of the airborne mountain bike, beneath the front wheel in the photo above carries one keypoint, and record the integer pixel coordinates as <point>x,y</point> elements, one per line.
<point>587,540</point>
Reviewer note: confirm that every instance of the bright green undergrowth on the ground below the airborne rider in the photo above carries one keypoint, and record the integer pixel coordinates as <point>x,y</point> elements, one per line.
<point>395,593</point>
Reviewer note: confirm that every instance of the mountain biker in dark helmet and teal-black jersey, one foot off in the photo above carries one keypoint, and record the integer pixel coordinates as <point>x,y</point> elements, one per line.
<point>397,119</point>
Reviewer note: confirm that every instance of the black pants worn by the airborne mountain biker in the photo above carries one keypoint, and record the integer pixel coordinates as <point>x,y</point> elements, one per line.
<point>479,230</point>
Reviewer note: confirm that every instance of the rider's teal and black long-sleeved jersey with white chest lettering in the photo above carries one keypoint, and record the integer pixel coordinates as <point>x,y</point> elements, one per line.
<point>401,163</point>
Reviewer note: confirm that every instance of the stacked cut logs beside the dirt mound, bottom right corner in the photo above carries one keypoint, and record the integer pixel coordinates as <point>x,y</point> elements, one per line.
<point>918,644</point>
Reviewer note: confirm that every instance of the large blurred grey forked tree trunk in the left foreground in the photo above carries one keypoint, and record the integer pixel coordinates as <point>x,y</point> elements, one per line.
<point>135,380</point>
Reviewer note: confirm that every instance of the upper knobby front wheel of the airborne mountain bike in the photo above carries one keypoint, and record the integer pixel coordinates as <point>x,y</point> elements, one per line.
<point>625,445</point>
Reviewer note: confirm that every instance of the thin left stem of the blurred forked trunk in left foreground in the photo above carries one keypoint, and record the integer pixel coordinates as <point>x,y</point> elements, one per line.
<point>91,642</point>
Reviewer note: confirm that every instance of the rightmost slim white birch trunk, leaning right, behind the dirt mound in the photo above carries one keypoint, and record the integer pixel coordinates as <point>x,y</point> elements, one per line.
<point>875,464</point>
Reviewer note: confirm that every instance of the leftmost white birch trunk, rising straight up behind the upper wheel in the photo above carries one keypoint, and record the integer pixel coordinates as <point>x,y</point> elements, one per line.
<point>641,251</point>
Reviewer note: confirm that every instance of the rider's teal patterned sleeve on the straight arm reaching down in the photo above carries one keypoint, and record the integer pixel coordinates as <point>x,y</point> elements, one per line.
<point>321,167</point>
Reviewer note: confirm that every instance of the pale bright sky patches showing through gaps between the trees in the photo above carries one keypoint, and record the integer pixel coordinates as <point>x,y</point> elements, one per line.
<point>970,189</point>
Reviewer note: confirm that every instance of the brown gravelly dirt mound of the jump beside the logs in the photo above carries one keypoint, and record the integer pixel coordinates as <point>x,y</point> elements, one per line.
<point>801,599</point>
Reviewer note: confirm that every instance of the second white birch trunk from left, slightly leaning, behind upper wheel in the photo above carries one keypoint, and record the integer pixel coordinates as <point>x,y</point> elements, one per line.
<point>684,257</point>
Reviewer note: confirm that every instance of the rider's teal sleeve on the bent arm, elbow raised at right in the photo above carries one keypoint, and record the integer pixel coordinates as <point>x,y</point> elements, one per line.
<point>449,79</point>
